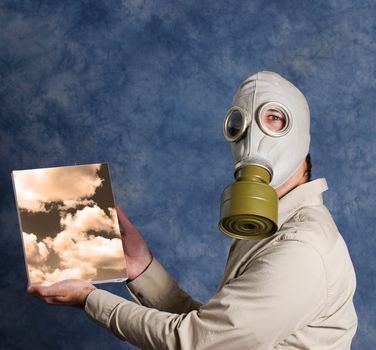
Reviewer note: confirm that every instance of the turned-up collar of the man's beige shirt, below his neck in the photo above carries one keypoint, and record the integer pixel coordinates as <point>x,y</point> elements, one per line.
<point>309,193</point>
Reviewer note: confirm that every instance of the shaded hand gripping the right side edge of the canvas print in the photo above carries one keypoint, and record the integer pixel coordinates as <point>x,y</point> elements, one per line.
<point>136,252</point>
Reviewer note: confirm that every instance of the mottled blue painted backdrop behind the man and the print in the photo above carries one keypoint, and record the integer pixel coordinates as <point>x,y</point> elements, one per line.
<point>145,85</point>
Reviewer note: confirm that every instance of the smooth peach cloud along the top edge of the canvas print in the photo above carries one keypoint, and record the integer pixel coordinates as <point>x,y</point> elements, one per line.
<point>72,184</point>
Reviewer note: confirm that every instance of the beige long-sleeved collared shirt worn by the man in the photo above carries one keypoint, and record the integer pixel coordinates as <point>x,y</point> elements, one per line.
<point>293,290</point>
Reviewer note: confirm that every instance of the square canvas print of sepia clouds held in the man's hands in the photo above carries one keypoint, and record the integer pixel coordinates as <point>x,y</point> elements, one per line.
<point>69,224</point>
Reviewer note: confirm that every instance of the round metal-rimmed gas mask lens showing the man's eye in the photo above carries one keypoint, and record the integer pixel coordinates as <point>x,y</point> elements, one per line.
<point>274,119</point>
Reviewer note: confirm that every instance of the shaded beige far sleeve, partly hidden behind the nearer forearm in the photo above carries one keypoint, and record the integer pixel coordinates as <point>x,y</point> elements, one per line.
<point>156,288</point>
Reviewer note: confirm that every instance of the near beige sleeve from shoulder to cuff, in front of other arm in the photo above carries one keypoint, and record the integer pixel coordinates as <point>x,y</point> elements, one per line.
<point>279,292</point>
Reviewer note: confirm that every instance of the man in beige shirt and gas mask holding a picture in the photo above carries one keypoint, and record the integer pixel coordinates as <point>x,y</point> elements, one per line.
<point>290,289</point>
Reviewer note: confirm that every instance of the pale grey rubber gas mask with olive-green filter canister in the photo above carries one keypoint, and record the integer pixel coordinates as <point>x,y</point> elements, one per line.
<point>268,129</point>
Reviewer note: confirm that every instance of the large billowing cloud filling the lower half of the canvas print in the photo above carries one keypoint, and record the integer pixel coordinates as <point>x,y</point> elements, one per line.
<point>80,254</point>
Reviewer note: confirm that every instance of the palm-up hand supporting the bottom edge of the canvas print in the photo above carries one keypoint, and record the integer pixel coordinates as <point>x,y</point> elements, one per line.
<point>68,292</point>
